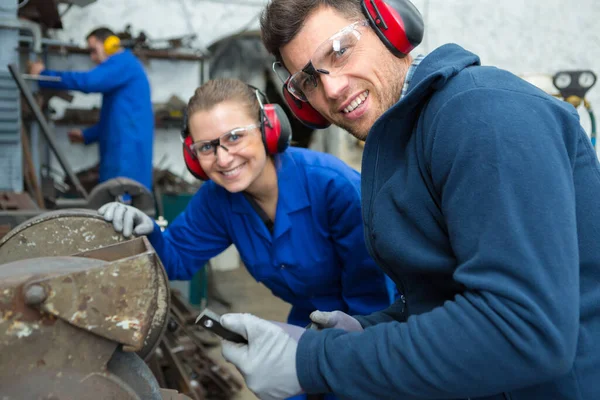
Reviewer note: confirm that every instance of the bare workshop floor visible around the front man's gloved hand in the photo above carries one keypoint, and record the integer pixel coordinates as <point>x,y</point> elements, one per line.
<point>245,295</point>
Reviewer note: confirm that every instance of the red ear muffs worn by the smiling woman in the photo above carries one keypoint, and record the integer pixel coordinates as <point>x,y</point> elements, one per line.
<point>276,132</point>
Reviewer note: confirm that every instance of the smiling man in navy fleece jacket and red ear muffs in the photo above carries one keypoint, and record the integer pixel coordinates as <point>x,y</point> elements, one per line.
<point>476,189</point>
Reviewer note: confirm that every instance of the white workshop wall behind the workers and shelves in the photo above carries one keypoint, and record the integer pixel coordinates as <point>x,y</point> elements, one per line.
<point>523,36</point>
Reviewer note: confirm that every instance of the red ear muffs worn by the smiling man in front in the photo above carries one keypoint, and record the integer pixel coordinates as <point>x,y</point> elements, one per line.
<point>397,23</point>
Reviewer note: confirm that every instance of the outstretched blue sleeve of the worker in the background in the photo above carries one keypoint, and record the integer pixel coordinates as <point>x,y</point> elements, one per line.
<point>104,78</point>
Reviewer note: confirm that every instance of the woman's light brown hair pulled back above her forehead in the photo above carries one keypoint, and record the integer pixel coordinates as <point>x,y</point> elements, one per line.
<point>217,91</point>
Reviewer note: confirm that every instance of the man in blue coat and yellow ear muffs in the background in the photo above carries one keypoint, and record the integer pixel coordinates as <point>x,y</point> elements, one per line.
<point>125,132</point>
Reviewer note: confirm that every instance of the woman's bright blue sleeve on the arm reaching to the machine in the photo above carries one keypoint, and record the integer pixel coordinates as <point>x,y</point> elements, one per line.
<point>194,237</point>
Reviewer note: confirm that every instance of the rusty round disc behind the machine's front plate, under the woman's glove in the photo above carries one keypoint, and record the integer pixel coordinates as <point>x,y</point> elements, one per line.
<point>85,233</point>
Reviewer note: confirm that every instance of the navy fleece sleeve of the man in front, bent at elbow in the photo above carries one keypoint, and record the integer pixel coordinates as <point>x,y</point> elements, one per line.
<point>507,194</point>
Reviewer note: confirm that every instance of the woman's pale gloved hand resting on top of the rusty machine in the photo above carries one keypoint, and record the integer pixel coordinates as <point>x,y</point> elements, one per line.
<point>127,219</point>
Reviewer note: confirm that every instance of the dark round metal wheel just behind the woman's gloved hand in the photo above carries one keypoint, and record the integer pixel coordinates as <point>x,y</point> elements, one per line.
<point>115,189</point>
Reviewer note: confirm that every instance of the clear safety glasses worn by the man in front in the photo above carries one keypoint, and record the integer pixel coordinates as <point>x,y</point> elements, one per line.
<point>330,58</point>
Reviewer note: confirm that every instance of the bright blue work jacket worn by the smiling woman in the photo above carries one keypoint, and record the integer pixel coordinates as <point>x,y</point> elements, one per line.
<point>316,257</point>
